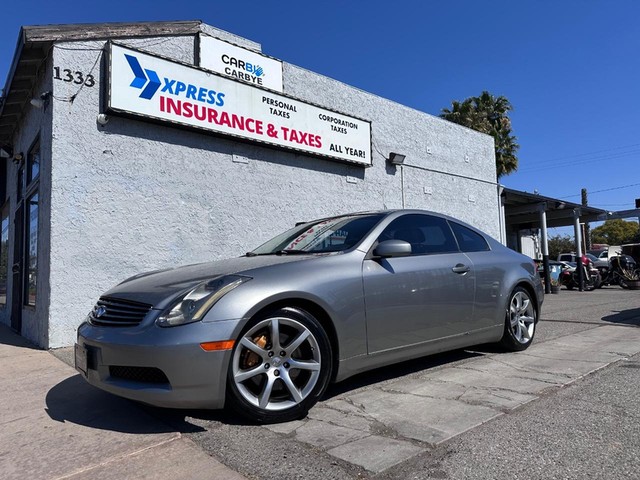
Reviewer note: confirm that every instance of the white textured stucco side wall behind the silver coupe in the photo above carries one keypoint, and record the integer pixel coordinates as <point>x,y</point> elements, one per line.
<point>133,196</point>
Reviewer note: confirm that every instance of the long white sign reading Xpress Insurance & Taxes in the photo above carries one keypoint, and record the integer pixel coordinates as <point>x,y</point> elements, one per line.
<point>146,85</point>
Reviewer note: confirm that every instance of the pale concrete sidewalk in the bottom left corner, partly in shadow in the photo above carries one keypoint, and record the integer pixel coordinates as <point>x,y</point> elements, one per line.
<point>47,430</point>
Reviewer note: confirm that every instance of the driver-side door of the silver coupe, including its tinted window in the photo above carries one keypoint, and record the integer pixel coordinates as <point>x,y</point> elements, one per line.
<point>421,297</point>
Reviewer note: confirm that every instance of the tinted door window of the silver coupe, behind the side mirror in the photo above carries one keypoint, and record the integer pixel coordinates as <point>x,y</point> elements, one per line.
<point>425,233</point>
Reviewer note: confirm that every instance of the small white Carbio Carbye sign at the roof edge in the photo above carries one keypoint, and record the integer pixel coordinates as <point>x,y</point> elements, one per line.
<point>240,63</point>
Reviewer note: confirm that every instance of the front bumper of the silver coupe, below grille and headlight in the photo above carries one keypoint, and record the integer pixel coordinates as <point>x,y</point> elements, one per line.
<point>165,367</point>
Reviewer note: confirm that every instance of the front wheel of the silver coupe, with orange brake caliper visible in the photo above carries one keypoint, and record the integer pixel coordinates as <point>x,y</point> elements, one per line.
<point>263,383</point>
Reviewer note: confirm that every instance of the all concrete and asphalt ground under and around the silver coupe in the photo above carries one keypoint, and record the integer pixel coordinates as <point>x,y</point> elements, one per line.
<point>565,408</point>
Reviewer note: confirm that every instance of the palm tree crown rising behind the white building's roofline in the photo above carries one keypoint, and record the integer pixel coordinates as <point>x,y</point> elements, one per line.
<point>489,114</point>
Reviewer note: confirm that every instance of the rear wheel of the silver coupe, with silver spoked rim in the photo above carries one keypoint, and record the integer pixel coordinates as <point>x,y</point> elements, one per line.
<point>520,321</point>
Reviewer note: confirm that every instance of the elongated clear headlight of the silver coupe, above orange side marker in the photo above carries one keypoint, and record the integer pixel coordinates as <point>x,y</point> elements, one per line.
<point>193,306</point>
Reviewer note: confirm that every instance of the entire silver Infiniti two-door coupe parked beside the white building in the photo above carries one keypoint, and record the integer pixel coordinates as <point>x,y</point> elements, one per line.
<point>265,333</point>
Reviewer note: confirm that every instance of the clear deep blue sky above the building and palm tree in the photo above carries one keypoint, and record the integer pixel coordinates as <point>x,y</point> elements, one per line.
<point>571,68</point>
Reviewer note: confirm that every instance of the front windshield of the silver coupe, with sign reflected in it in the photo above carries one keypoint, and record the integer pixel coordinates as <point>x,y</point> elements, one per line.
<point>322,236</point>
